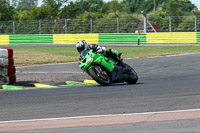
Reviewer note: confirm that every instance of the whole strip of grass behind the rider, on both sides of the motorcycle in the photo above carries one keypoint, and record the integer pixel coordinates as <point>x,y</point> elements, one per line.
<point>25,56</point>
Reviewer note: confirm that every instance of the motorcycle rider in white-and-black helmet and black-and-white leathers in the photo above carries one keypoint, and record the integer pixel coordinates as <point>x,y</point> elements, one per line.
<point>82,45</point>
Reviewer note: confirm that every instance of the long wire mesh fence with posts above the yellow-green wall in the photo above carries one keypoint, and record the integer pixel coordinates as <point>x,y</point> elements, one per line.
<point>101,25</point>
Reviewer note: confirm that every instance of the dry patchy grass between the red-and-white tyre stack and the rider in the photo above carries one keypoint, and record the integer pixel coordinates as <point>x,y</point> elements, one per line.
<point>25,56</point>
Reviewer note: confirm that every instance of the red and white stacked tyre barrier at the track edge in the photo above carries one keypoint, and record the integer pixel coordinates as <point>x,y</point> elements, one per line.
<point>7,68</point>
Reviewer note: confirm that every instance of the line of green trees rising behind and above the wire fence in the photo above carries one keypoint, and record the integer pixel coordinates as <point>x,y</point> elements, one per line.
<point>79,9</point>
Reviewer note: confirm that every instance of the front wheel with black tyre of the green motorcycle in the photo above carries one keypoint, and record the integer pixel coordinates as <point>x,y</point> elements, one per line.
<point>100,77</point>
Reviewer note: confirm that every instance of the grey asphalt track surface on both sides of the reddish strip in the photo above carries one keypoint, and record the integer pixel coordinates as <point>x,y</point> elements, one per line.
<point>165,84</point>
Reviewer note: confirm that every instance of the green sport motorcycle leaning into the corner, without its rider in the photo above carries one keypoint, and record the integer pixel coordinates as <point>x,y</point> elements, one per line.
<point>105,70</point>
